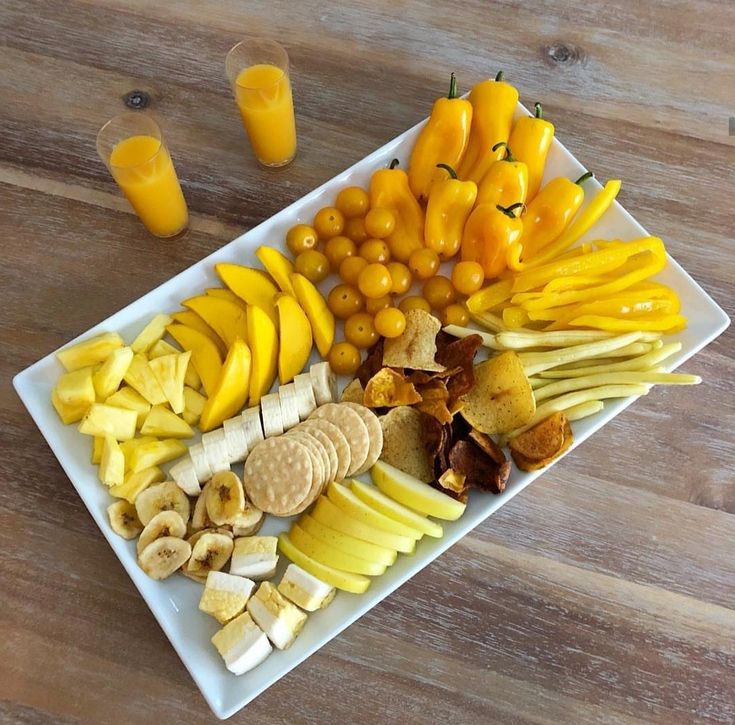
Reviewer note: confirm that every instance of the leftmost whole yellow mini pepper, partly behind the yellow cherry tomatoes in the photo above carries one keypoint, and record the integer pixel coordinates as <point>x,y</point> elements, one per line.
<point>389,188</point>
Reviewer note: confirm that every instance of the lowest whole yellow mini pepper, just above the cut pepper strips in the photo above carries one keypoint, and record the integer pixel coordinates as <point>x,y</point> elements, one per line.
<point>488,233</point>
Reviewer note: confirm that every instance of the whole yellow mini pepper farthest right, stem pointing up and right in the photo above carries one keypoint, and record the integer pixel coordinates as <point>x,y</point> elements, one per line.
<point>549,214</point>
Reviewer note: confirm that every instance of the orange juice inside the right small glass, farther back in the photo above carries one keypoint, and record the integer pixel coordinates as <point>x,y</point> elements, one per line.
<point>263,95</point>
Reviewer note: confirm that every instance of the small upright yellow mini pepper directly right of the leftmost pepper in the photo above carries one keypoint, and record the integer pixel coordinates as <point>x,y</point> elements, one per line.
<point>449,206</point>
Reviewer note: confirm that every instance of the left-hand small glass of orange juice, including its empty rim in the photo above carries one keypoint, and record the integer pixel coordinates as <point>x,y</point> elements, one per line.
<point>132,147</point>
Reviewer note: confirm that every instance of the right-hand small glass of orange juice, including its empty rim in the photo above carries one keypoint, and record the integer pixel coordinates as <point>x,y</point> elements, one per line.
<point>258,72</point>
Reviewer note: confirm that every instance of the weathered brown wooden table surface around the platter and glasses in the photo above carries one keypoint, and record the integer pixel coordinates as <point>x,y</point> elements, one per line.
<point>603,593</point>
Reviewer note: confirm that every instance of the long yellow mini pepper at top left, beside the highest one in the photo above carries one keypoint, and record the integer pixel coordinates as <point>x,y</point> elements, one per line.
<point>442,140</point>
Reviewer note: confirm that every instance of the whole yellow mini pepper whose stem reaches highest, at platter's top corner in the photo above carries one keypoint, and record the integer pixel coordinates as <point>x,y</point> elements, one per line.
<point>493,106</point>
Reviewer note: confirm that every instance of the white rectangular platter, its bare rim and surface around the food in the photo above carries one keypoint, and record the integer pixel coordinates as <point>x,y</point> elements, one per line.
<point>174,602</point>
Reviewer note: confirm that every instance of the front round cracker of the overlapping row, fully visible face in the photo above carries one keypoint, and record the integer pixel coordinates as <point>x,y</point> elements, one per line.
<point>278,475</point>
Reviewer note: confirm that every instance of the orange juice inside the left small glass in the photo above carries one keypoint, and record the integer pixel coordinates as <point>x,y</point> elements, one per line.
<point>142,167</point>
